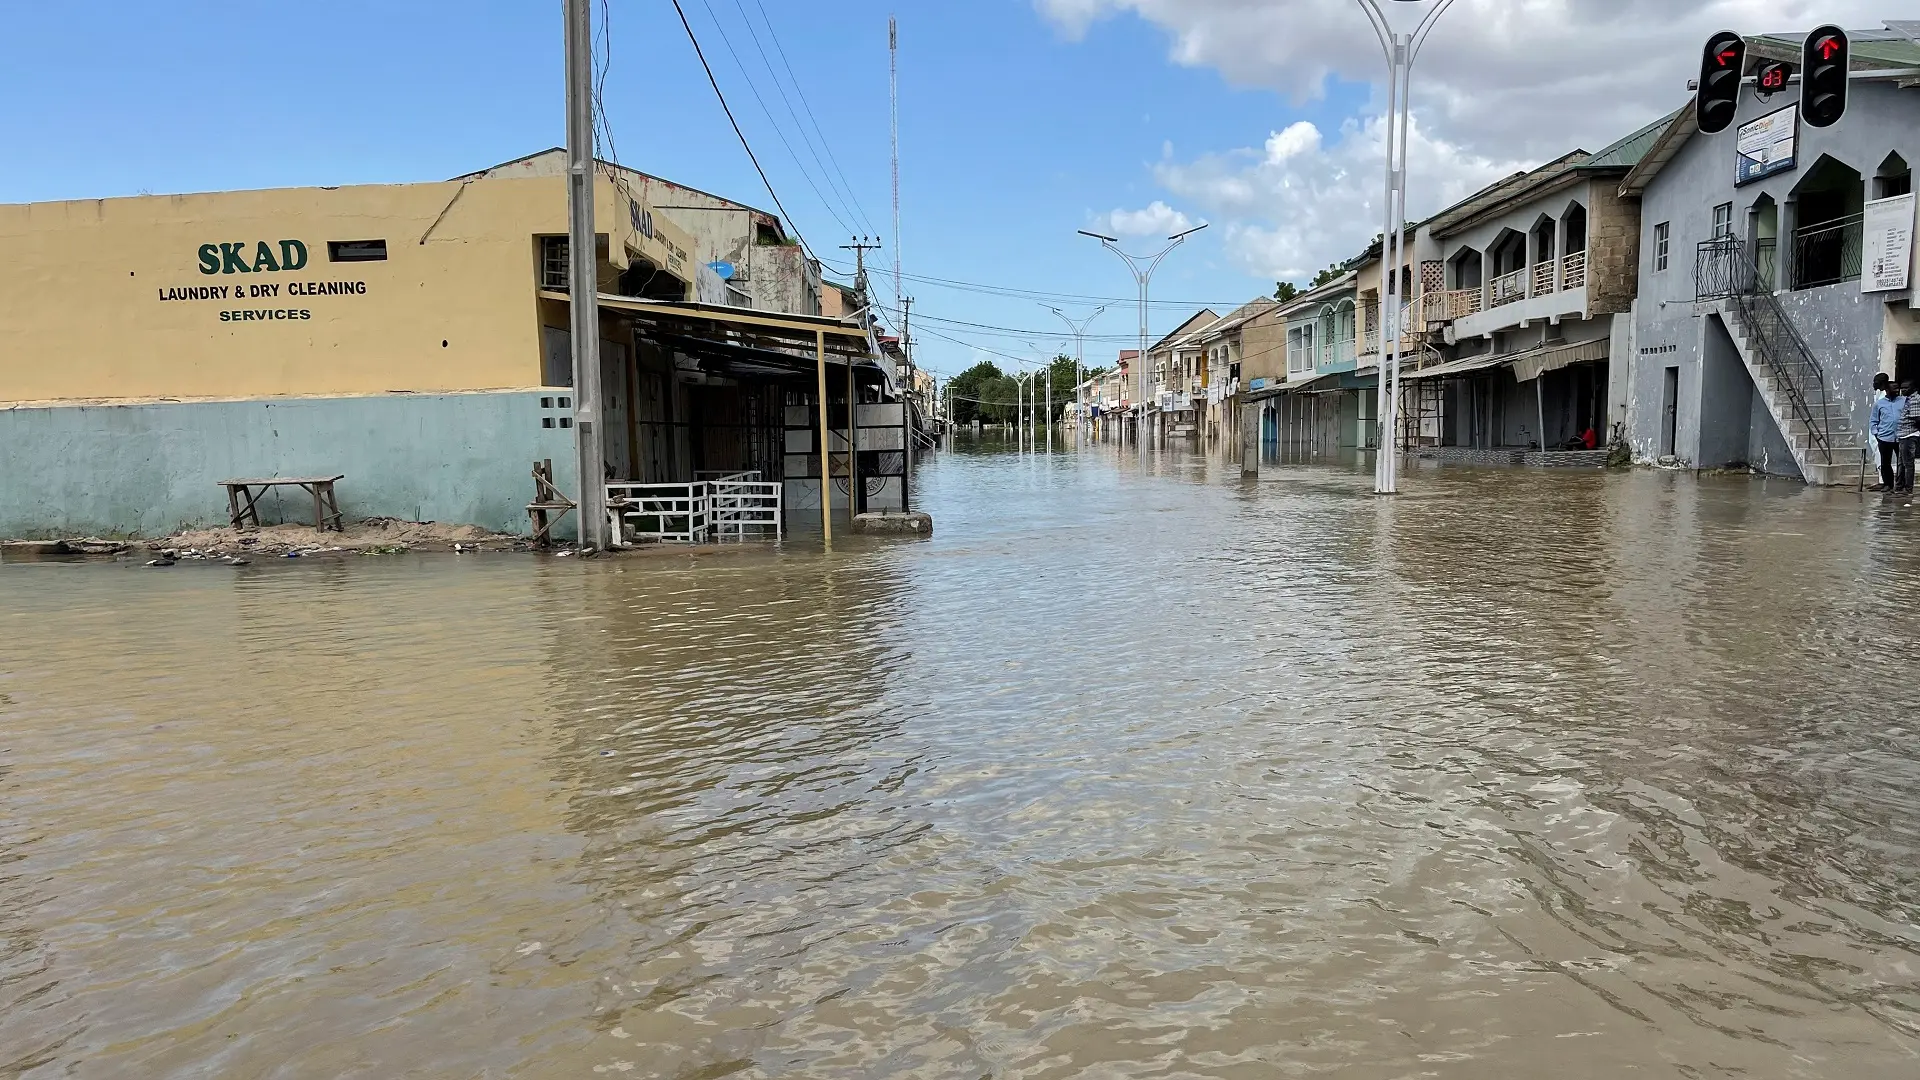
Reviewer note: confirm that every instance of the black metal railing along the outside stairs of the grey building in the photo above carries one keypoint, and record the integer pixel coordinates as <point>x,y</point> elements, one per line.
<point>1727,272</point>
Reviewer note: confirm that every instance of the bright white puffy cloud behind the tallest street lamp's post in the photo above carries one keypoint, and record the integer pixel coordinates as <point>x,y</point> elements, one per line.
<point>1303,203</point>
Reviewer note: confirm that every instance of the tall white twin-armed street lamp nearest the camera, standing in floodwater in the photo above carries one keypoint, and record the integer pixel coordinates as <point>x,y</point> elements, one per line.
<point>1401,55</point>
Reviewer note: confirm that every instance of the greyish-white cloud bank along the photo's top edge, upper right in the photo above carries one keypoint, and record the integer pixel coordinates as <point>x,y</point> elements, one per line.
<point>1499,78</point>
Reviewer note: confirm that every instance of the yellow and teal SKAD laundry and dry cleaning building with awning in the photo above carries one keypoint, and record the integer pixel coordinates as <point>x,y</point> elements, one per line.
<point>410,337</point>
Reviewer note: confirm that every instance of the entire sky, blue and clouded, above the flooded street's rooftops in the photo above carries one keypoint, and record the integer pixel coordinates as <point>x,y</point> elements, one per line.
<point>1022,122</point>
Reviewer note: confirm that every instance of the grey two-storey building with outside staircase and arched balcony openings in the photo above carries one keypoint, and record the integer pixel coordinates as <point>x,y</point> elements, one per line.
<point>1777,274</point>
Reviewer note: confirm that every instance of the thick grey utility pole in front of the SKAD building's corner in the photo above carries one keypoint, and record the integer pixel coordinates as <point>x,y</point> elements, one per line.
<point>583,282</point>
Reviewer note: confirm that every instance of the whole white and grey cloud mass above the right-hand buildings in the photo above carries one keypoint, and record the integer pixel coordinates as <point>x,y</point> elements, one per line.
<point>1502,86</point>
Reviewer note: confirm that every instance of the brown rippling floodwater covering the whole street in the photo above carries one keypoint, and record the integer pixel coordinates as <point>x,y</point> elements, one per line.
<point>1138,770</point>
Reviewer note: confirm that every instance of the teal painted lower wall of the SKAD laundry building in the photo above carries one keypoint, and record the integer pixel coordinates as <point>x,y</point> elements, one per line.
<point>155,468</point>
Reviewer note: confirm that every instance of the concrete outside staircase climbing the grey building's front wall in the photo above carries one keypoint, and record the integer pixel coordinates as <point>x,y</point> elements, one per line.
<point>1821,433</point>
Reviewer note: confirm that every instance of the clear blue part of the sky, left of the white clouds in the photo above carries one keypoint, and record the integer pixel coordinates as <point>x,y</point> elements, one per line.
<point>1013,135</point>
